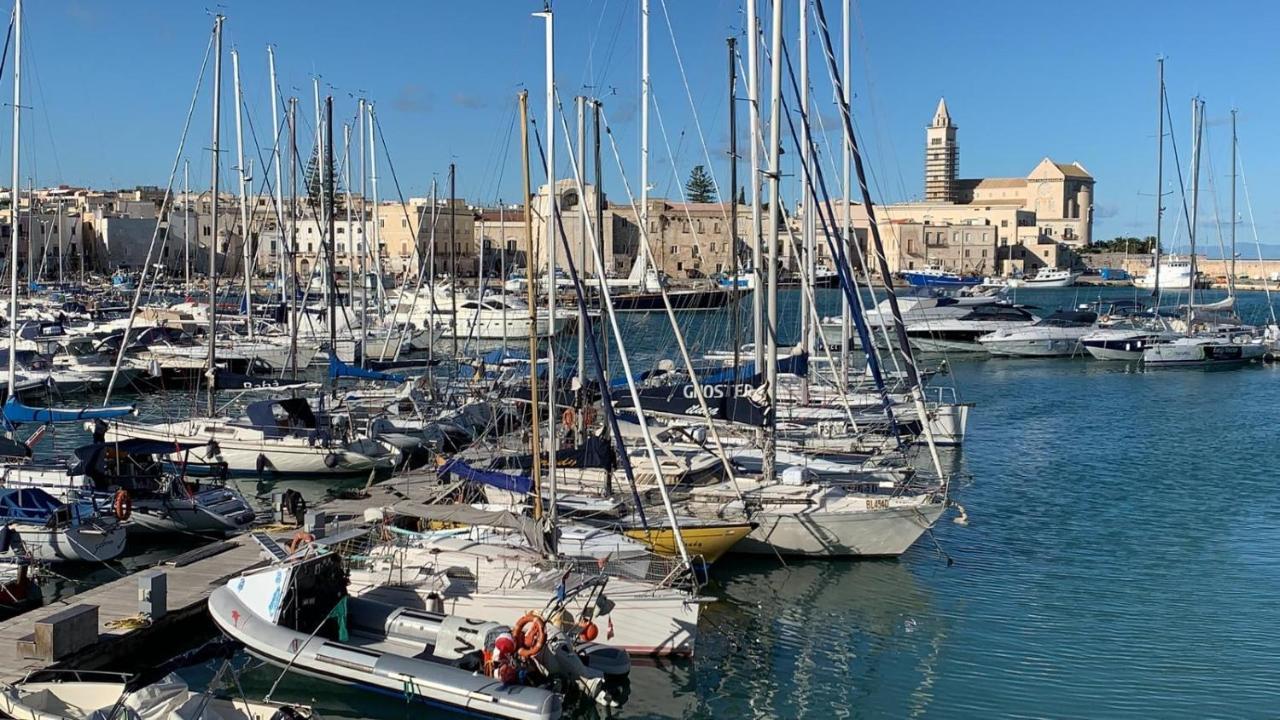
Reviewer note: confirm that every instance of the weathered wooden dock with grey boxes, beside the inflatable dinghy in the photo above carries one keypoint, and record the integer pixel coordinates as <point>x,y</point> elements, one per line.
<point>190,577</point>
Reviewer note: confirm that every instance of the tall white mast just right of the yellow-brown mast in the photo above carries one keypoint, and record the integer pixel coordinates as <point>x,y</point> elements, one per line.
<point>552,216</point>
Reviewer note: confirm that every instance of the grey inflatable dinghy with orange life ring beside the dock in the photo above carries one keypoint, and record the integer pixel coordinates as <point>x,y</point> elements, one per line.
<point>298,614</point>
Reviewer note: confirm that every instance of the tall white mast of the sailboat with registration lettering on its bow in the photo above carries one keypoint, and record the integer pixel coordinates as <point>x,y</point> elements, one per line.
<point>771,350</point>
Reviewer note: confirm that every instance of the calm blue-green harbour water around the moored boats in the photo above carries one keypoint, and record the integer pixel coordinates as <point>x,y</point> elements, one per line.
<point>1122,560</point>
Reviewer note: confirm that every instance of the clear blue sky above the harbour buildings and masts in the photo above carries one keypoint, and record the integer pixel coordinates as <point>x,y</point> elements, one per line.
<point>108,89</point>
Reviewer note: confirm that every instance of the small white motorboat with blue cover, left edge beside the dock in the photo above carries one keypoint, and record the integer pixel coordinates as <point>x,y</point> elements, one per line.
<point>35,525</point>
